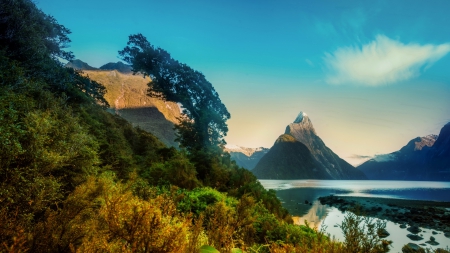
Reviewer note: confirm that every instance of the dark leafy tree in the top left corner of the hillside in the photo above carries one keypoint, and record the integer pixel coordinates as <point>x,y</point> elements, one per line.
<point>37,42</point>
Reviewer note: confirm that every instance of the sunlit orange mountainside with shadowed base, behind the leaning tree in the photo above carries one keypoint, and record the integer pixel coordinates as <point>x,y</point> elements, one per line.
<point>127,97</point>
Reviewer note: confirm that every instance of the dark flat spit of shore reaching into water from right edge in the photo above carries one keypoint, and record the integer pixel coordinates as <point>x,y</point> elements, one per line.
<point>408,213</point>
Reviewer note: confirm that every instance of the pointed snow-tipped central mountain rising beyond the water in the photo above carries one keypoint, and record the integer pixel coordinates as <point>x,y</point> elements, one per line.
<point>284,162</point>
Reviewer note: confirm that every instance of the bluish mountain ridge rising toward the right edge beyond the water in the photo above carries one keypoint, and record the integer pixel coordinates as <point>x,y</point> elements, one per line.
<point>423,158</point>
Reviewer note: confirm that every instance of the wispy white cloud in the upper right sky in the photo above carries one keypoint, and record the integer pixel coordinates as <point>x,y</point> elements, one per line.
<point>381,62</point>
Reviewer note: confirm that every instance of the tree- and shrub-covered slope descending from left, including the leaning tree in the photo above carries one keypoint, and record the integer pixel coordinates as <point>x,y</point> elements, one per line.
<point>75,178</point>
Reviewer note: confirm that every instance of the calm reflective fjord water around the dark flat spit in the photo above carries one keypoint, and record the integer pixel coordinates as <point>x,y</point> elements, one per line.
<point>294,193</point>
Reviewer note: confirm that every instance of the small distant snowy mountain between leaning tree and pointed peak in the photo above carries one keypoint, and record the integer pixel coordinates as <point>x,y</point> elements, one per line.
<point>246,157</point>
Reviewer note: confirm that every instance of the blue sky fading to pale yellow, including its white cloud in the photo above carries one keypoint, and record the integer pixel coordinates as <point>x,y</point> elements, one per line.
<point>371,75</point>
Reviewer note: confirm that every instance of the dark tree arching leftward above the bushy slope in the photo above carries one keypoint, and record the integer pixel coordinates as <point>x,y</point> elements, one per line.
<point>203,124</point>
